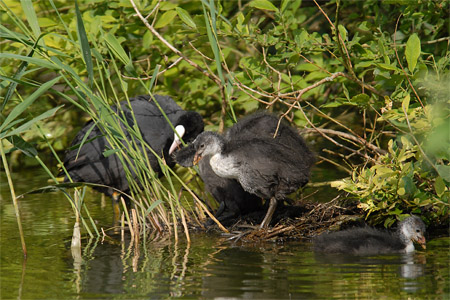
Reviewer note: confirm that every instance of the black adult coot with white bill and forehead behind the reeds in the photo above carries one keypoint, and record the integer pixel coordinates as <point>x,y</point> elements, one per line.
<point>90,165</point>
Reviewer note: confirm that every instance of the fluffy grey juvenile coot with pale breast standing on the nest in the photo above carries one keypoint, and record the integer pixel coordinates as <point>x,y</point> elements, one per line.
<point>263,166</point>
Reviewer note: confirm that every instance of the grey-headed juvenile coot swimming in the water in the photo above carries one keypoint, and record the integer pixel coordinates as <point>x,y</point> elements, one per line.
<point>370,241</point>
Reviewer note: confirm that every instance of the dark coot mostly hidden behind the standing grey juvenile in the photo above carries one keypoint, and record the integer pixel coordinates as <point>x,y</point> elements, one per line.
<point>233,199</point>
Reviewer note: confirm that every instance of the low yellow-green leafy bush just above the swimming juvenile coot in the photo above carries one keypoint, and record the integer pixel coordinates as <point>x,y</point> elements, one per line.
<point>403,182</point>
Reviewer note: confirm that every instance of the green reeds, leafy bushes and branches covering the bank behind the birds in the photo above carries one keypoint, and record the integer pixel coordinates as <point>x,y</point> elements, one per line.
<point>368,81</point>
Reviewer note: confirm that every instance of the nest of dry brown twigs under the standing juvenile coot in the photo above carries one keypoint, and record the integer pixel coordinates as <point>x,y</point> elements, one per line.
<point>299,222</point>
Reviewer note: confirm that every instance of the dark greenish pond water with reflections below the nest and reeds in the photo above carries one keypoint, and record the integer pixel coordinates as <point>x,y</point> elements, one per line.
<point>209,268</point>
